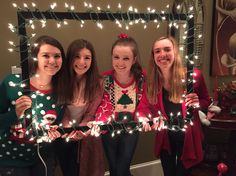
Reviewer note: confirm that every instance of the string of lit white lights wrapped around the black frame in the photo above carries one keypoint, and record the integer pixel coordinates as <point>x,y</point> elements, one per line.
<point>30,14</point>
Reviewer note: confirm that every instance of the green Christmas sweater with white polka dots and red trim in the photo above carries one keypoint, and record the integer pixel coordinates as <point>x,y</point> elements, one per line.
<point>19,136</point>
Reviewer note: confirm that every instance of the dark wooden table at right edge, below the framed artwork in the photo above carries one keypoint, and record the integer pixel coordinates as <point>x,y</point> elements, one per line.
<point>226,151</point>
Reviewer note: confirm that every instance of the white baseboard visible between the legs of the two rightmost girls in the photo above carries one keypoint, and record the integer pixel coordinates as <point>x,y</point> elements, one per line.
<point>152,168</point>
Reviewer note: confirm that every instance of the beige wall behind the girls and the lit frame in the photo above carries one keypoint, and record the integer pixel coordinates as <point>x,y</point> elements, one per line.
<point>102,40</point>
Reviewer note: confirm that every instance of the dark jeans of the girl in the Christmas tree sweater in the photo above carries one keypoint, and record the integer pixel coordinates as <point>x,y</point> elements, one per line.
<point>119,151</point>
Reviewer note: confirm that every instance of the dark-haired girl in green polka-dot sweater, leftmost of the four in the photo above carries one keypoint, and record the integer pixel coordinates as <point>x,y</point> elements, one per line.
<point>26,119</point>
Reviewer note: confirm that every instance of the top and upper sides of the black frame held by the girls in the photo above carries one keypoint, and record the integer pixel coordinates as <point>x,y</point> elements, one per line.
<point>101,16</point>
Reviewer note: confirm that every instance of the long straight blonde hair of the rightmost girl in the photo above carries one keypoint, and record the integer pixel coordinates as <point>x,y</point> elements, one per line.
<point>155,77</point>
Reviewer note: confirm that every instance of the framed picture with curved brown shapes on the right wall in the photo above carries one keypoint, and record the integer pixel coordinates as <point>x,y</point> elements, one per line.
<point>223,57</point>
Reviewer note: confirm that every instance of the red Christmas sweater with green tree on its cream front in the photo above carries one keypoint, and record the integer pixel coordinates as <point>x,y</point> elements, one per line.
<point>119,102</point>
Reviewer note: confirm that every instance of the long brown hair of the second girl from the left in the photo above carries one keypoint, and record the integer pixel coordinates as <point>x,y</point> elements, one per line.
<point>70,83</point>
